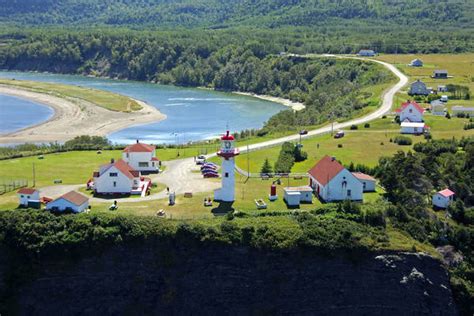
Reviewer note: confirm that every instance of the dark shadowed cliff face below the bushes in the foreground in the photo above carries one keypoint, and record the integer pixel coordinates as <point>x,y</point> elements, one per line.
<point>151,279</point>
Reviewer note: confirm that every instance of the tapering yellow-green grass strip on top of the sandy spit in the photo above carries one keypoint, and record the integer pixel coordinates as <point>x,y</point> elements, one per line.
<point>105,99</point>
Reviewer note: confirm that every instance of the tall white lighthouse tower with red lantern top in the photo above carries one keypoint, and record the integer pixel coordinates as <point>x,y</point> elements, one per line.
<point>227,153</point>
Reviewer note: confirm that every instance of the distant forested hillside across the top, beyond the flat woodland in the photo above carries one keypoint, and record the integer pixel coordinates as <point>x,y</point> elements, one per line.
<point>225,13</point>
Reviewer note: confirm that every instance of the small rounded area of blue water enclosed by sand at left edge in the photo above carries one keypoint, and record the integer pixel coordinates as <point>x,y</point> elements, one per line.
<point>17,113</point>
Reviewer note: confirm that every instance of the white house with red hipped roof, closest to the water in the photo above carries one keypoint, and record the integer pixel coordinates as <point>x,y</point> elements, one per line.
<point>141,157</point>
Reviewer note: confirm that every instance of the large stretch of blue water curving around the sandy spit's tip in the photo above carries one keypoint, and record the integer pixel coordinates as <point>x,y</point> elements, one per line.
<point>192,114</point>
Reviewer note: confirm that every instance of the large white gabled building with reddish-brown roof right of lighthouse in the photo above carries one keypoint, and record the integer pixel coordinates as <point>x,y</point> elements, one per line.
<point>332,182</point>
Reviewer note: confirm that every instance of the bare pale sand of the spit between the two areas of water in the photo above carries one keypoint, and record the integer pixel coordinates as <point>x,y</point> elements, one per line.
<point>73,117</point>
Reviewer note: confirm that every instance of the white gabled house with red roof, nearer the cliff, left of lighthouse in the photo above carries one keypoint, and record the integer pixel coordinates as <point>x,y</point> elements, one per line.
<point>118,177</point>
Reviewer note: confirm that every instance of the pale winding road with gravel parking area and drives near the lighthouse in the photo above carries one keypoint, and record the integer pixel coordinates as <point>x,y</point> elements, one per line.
<point>180,175</point>
